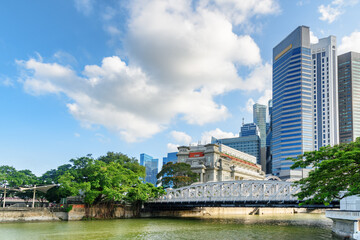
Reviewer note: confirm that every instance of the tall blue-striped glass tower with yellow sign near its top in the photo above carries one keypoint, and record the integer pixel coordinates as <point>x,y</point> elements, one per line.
<point>292,124</point>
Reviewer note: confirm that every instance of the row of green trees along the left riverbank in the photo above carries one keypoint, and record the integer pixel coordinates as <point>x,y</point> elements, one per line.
<point>111,178</point>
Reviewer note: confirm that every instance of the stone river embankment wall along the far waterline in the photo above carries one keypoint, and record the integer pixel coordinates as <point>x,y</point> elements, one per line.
<point>80,211</point>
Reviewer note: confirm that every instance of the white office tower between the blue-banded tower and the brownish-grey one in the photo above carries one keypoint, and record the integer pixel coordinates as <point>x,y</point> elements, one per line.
<point>325,88</point>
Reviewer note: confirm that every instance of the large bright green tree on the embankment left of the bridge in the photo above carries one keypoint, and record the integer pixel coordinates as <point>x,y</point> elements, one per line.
<point>107,180</point>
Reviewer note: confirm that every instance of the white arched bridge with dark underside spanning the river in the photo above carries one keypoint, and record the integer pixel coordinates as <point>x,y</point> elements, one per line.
<point>244,193</point>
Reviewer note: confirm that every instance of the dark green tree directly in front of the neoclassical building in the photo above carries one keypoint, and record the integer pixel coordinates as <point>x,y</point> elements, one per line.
<point>176,175</point>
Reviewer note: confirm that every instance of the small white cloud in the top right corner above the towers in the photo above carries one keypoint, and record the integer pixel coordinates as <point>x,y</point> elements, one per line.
<point>333,10</point>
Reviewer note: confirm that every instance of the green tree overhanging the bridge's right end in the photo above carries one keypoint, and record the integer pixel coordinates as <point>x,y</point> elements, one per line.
<point>335,169</point>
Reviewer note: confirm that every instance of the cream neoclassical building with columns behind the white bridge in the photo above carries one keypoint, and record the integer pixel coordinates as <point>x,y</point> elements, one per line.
<point>216,163</point>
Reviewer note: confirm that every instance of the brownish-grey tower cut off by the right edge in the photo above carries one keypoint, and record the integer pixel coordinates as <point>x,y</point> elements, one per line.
<point>349,96</point>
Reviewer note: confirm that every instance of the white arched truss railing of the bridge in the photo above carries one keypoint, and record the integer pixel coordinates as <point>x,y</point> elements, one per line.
<point>246,190</point>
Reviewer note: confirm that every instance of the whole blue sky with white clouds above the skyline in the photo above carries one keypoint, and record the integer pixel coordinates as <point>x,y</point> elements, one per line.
<point>87,76</point>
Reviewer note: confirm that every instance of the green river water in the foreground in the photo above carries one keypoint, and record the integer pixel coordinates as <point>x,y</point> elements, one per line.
<point>285,227</point>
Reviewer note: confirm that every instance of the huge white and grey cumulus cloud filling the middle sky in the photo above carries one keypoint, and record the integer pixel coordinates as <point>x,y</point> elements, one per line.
<point>181,55</point>
